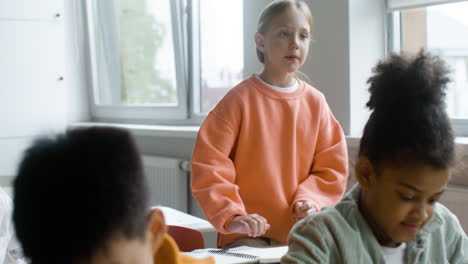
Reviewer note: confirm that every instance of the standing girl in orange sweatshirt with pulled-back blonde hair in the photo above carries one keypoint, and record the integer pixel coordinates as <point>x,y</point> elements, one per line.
<point>271,152</point>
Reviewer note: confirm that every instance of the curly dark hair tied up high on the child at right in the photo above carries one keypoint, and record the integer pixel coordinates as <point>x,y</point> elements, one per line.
<point>408,122</point>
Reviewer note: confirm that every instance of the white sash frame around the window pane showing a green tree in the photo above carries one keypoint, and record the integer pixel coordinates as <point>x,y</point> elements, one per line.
<point>132,114</point>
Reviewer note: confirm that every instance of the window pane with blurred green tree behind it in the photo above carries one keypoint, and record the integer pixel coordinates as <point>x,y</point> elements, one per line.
<point>147,61</point>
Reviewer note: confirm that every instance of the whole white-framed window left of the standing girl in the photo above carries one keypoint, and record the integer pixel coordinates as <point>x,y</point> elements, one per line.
<point>157,61</point>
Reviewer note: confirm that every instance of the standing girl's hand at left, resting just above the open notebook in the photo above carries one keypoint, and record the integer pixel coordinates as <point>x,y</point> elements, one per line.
<point>253,225</point>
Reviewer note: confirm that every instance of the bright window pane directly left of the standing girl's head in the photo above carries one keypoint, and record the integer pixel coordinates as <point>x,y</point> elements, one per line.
<point>221,49</point>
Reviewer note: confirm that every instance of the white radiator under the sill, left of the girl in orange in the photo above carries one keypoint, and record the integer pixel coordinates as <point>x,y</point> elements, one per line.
<point>168,180</point>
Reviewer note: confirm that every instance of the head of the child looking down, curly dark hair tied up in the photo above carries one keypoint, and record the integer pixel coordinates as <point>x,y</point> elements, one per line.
<point>407,147</point>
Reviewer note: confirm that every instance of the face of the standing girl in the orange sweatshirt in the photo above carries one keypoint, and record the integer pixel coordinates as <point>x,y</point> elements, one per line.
<point>286,43</point>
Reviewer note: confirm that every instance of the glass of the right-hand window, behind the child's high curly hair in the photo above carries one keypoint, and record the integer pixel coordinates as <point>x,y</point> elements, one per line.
<point>442,30</point>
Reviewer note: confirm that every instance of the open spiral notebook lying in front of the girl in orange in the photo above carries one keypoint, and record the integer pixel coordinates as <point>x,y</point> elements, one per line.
<point>242,254</point>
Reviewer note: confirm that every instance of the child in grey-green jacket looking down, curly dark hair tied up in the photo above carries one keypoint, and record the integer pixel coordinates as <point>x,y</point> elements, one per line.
<point>404,163</point>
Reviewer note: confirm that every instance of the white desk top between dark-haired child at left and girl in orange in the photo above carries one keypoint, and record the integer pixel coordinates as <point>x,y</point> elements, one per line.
<point>178,218</point>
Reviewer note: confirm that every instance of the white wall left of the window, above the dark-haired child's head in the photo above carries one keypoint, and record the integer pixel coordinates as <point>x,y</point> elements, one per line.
<point>39,94</point>
